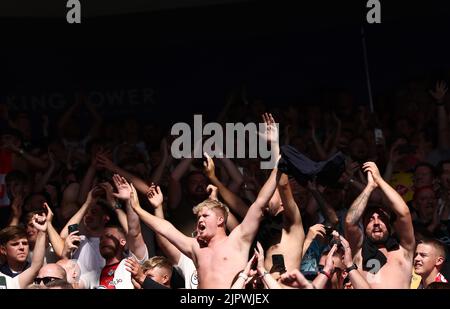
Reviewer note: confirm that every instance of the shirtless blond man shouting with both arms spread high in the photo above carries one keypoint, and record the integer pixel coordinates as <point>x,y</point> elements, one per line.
<point>217,256</point>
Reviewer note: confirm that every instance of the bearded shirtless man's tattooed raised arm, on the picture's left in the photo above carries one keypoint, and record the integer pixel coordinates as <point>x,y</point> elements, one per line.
<point>351,227</point>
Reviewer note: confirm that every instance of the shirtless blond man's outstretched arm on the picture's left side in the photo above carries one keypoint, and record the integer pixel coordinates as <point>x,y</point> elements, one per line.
<point>166,229</point>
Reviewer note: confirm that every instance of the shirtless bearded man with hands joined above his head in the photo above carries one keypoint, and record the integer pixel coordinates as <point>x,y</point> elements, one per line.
<point>382,261</point>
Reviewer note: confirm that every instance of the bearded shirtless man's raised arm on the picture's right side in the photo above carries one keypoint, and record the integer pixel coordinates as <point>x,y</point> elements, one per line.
<point>403,223</point>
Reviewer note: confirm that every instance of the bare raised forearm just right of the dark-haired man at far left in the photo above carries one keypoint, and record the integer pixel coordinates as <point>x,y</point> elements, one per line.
<point>28,275</point>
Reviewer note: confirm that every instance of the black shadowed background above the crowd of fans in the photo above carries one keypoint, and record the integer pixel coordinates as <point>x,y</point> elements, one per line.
<point>284,51</point>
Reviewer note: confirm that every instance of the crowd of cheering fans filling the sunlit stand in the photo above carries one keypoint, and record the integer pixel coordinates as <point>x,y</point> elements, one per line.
<point>104,204</point>
